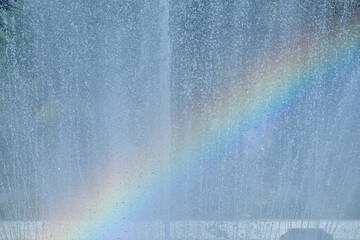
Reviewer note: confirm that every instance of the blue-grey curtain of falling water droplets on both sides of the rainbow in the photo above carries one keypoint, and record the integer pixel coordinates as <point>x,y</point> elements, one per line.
<point>79,78</point>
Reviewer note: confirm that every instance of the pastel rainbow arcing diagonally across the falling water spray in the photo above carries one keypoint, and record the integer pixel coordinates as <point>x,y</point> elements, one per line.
<point>259,96</point>
